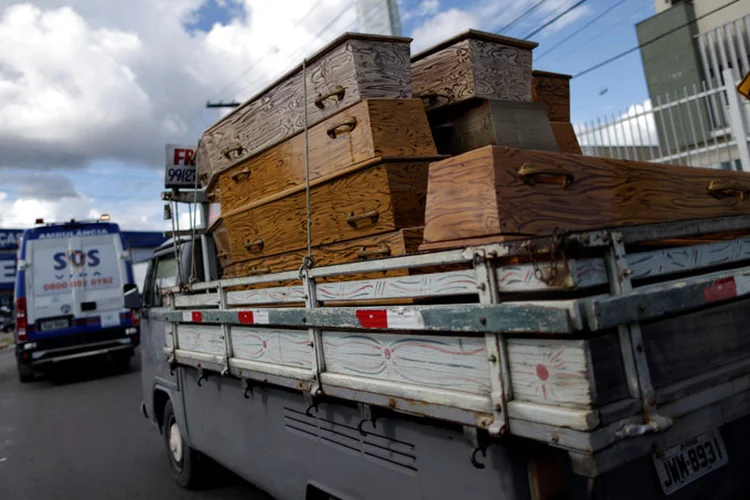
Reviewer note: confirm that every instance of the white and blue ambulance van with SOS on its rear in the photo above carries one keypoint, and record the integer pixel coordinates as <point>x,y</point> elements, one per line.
<point>74,297</point>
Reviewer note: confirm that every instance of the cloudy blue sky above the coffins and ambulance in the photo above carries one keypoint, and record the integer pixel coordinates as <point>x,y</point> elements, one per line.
<point>92,90</point>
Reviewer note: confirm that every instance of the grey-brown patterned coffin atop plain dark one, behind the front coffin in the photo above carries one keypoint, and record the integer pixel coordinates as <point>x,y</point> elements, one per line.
<point>477,90</point>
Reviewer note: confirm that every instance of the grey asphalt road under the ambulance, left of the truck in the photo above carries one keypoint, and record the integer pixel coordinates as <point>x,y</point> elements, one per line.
<point>80,435</point>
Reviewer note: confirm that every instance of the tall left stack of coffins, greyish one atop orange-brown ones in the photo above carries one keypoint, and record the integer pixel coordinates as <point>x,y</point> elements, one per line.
<point>368,147</point>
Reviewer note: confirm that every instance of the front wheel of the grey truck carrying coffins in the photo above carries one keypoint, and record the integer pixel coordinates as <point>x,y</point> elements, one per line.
<point>185,462</point>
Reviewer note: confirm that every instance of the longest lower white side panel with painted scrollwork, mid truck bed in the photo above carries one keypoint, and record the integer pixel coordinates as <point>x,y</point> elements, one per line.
<point>453,363</point>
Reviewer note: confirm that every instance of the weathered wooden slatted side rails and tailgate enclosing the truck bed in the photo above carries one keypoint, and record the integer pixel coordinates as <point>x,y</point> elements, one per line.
<point>606,344</point>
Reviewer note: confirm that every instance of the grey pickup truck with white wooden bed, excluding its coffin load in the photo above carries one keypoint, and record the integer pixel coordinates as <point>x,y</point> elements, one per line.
<point>606,364</point>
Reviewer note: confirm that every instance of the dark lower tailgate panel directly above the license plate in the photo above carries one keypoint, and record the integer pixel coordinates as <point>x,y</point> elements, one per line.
<point>696,343</point>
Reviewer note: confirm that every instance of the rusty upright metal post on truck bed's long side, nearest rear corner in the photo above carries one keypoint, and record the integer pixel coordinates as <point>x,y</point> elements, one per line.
<point>497,354</point>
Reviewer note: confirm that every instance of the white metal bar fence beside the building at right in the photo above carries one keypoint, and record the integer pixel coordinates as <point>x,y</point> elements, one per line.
<point>701,127</point>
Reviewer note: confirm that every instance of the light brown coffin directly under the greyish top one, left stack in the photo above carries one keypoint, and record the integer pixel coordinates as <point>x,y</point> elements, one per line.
<point>372,128</point>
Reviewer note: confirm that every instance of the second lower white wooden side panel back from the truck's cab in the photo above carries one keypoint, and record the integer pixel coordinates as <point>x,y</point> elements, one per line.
<point>272,345</point>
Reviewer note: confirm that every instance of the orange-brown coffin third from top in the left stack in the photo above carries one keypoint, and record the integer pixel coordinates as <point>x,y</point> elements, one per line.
<point>386,196</point>
